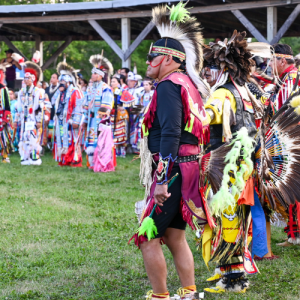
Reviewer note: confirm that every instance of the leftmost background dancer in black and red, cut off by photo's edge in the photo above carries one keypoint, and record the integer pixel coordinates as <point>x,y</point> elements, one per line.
<point>6,141</point>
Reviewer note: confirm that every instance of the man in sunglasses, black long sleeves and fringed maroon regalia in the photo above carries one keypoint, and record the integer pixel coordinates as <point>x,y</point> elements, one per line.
<point>173,127</point>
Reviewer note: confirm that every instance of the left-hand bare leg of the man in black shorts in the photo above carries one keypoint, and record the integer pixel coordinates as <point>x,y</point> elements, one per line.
<point>155,265</point>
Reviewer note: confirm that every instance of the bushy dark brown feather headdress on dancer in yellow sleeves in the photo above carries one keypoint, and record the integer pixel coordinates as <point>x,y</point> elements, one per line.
<point>232,55</point>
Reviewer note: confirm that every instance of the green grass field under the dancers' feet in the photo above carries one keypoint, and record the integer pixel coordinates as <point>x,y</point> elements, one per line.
<point>64,235</point>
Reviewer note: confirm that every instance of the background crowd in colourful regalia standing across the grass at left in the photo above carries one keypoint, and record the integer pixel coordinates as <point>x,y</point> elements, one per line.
<point>71,114</point>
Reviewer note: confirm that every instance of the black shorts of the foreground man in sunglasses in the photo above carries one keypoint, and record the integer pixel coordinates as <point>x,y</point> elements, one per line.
<point>171,217</point>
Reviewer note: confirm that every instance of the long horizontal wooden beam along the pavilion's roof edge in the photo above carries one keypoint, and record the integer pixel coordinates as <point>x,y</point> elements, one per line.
<point>144,13</point>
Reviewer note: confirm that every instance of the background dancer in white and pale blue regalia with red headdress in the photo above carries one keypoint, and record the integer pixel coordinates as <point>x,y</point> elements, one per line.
<point>30,101</point>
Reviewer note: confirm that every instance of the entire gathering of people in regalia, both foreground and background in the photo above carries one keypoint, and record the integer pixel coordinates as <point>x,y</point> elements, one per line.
<point>209,107</point>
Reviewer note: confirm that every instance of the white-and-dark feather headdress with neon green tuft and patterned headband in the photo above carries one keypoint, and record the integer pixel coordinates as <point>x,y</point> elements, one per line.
<point>181,37</point>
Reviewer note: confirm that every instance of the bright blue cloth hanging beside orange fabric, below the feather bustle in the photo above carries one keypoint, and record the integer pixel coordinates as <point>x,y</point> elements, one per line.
<point>259,242</point>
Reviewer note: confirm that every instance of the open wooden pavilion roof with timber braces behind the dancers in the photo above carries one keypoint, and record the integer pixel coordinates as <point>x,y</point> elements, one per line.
<point>122,20</point>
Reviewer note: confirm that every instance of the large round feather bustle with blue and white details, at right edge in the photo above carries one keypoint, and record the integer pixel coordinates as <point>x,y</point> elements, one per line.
<point>278,157</point>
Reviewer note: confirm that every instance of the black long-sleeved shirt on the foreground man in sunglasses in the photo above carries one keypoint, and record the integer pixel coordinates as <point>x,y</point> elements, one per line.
<point>167,132</point>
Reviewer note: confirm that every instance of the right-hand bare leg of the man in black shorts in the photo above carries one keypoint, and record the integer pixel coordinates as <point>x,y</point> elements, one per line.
<point>182,255</point>
